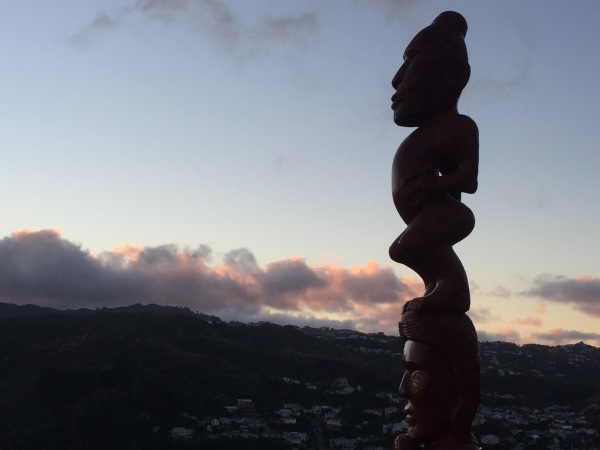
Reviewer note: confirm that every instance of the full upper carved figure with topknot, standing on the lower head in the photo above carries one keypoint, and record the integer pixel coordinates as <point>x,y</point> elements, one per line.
<point>435,163</point>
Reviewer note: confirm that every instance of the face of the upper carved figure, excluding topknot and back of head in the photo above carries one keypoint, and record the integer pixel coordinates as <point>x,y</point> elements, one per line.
<point>420,83</point>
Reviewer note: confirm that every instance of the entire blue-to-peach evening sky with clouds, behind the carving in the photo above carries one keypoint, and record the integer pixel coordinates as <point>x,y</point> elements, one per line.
<point>234,158</point>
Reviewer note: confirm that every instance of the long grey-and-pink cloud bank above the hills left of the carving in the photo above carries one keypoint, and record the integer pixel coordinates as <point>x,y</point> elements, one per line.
<point>43,268</point>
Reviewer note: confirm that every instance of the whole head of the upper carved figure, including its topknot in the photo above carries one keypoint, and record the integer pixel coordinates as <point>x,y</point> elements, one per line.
<point>434,72</point>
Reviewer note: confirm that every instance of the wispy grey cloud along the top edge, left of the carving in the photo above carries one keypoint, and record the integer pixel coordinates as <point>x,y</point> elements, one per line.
<point>216,19</point>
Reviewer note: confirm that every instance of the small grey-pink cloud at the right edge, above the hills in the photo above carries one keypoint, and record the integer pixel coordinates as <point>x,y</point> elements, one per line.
<point>582,292</point>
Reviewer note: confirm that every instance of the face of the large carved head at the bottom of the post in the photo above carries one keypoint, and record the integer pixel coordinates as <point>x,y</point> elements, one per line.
<point>429,391</point>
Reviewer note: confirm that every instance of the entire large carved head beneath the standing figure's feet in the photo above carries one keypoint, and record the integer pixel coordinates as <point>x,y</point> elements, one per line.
<point>441,379</point>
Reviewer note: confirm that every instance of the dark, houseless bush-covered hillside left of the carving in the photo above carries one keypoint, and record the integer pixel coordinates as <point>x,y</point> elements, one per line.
<point>108,378</point>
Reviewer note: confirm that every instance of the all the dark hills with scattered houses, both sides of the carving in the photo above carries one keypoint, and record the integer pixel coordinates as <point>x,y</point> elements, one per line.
<point>139,377</point>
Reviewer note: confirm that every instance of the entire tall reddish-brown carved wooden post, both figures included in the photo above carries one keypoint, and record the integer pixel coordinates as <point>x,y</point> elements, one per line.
<point>433,166</point>
